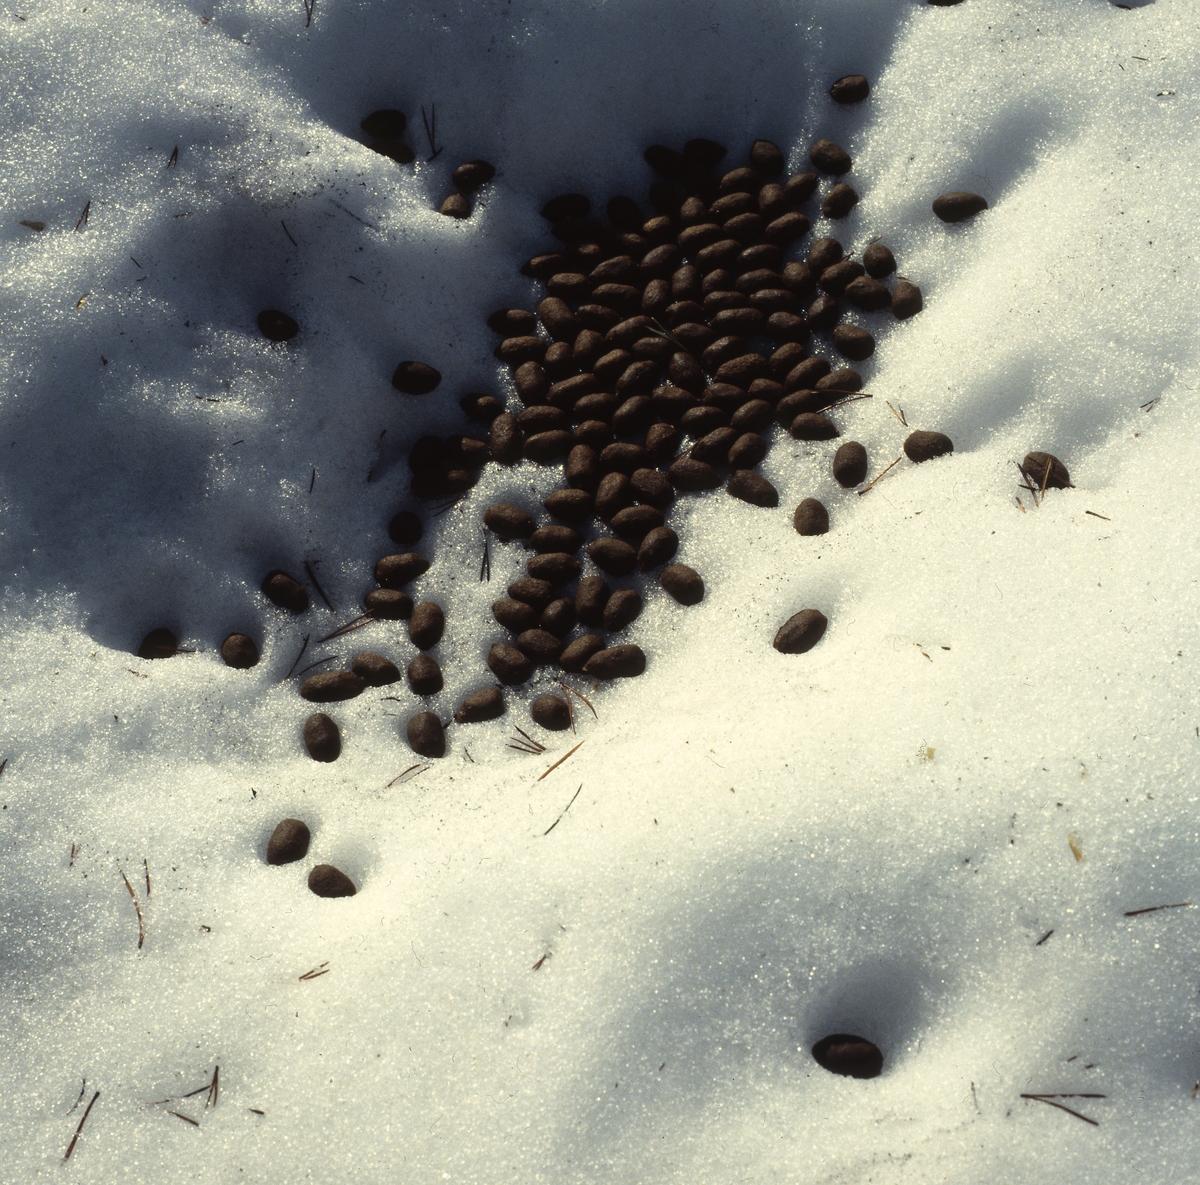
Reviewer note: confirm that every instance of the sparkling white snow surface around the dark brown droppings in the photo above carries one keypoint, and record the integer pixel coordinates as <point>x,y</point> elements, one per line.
<point>871,838</point>
